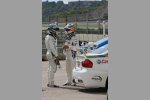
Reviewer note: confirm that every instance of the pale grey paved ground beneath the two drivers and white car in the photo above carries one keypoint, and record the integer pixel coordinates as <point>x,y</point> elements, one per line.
<point>67,92</point>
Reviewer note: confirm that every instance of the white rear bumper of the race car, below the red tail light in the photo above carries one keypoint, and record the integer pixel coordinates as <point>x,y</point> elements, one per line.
<point>89,78</point>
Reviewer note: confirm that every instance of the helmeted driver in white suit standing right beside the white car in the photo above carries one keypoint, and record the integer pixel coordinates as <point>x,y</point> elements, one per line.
<point>70,49</point>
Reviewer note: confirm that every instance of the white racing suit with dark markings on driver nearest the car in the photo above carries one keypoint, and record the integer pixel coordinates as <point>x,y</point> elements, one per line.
<point>71,54</point>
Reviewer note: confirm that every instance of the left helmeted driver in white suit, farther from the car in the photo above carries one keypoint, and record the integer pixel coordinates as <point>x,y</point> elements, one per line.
<point>50,42</point>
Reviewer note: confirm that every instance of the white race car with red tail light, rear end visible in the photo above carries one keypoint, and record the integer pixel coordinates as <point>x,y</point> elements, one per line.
<point>92,68</point>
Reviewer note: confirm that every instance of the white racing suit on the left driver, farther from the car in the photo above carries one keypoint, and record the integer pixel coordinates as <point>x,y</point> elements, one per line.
<point>50,43</point>
